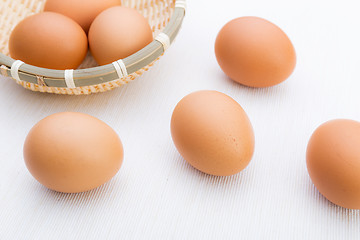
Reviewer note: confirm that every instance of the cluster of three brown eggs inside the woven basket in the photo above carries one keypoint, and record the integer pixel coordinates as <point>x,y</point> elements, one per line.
<point>59,37</point>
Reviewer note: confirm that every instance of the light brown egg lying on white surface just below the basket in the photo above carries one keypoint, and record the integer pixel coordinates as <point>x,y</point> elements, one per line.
<point>72,152</point>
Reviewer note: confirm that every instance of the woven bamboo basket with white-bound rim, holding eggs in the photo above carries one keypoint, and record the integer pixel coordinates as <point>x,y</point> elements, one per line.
<point>164,16</point>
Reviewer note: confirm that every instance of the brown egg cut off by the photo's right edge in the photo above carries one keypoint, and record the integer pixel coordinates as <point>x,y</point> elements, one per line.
<point>333,162</point>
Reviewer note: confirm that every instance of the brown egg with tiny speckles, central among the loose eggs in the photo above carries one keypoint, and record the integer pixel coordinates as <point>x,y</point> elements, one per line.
<point>213,133</point>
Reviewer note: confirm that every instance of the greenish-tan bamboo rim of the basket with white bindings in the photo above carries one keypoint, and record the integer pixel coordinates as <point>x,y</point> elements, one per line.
<point>100,74</point>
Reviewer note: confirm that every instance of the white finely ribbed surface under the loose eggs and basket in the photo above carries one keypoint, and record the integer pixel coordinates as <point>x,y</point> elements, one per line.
<point>156,195</point>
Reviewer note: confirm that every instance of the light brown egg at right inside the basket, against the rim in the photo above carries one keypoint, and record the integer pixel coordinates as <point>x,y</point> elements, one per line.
<point>117,33</point>
